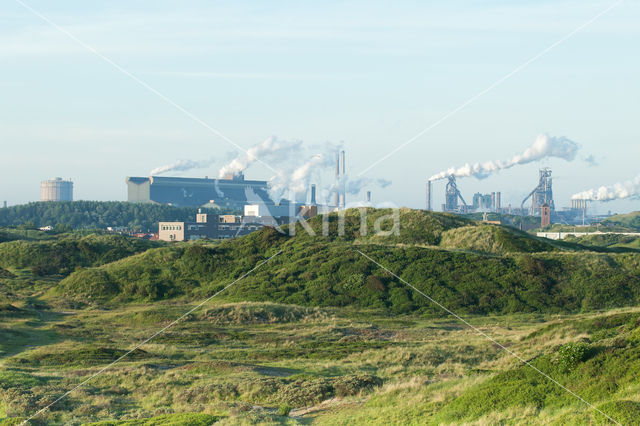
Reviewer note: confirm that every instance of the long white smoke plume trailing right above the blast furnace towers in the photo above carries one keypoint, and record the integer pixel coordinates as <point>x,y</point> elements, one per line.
<point>545,146</point>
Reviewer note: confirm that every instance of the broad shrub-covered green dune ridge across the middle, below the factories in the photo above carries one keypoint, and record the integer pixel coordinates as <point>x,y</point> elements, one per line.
<point>465,265</point>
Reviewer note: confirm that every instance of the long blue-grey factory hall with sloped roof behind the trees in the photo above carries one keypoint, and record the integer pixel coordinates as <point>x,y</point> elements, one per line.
<point>232,192</point>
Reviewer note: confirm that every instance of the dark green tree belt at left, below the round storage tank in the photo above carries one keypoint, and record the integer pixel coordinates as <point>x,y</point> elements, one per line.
<point>96,214</point>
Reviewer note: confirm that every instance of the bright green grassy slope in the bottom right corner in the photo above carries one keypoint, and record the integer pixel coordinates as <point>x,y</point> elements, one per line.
<point>613,346</point>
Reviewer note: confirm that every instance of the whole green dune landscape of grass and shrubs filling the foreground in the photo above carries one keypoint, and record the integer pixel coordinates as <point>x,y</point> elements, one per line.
<point>320,334</point>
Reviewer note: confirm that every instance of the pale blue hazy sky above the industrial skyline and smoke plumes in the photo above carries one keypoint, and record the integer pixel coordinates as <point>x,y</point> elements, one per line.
<point>368,74</point>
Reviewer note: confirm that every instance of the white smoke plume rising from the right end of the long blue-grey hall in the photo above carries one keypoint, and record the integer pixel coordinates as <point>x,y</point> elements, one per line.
<point>271,148</point>
